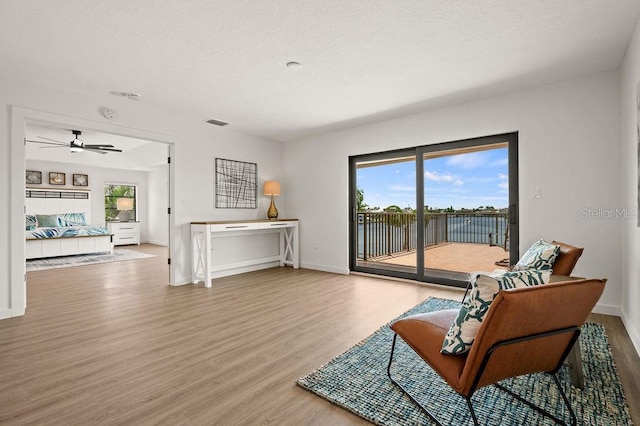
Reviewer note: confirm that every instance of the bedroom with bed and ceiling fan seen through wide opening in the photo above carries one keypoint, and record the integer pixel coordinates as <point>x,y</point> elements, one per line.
<point>59,180</point>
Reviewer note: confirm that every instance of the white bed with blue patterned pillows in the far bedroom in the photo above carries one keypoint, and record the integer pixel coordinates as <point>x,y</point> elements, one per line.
<point>57,223</point>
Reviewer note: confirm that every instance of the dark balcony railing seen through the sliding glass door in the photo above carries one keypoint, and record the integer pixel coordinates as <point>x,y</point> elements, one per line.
<point>388,234</point>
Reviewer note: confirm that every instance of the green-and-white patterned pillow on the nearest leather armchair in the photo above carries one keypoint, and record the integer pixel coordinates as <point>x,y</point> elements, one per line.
<point>484,288</point>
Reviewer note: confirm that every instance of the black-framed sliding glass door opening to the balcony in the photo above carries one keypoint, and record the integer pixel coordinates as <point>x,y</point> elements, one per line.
<point>435,213</point>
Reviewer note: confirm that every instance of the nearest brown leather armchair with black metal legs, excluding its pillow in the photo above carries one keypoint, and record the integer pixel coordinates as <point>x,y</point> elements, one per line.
<point>505,345</point>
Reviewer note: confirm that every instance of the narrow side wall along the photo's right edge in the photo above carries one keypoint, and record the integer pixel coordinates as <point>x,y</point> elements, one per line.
<point>630,184</point>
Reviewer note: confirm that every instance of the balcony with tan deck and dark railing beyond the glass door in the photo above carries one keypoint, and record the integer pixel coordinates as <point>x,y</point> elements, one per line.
<point>462,242</point>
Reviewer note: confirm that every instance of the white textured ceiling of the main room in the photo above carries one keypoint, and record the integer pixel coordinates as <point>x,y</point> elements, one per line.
<point>362,60</point>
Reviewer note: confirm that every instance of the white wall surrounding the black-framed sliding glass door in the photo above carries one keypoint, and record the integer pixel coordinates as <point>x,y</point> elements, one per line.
<point>568,146</point>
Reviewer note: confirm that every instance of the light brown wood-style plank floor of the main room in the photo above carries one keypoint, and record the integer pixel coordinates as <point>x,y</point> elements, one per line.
<point>114,344</point>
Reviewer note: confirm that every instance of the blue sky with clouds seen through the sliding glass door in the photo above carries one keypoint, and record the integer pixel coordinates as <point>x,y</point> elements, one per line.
<point>463,181</point>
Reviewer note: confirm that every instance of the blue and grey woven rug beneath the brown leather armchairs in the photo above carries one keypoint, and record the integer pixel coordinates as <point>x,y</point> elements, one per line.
<point>357,381</point>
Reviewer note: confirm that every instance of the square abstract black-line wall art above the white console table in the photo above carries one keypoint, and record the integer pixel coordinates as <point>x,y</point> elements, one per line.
<point>236,184</point>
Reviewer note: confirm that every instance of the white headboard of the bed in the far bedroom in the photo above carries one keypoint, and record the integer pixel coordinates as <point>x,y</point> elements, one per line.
<point>53,201</point>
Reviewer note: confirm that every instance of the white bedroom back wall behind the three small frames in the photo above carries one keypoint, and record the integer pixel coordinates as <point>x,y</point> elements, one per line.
<point>98,176</point>
